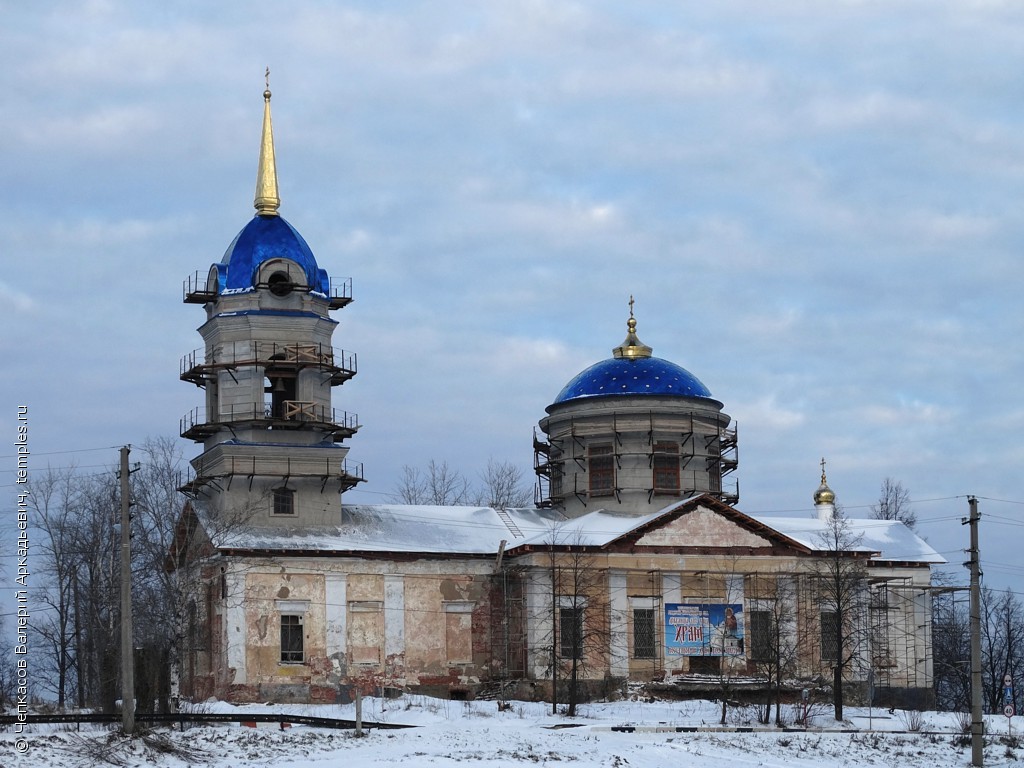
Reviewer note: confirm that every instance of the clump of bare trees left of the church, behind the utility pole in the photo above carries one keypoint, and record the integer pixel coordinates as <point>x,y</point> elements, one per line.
<point>77,517</point>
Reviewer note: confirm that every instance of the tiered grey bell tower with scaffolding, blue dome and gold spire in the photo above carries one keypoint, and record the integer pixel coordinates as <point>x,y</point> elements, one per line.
<point>272,441</point>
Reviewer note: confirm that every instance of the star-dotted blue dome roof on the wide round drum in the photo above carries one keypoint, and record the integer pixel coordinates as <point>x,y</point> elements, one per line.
<point>641,376</point>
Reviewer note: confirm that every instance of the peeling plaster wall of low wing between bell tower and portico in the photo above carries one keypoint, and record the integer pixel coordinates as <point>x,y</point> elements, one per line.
<point>365,623</point>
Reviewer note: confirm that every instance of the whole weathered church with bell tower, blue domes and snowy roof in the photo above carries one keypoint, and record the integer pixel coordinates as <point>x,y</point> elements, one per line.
<point>635,566</point>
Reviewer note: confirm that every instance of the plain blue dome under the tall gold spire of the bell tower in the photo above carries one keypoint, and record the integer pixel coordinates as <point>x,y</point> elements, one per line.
<point>264,239</point>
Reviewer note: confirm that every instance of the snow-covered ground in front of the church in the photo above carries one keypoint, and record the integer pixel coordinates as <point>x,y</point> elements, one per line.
<point>456,734</point>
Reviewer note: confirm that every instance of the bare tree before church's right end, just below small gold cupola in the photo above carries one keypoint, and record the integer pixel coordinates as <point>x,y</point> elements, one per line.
<point>840,578</point>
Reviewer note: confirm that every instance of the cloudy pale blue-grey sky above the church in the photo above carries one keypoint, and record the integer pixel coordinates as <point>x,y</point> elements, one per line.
<point>818,207</point>
